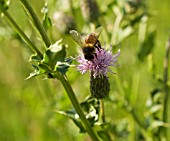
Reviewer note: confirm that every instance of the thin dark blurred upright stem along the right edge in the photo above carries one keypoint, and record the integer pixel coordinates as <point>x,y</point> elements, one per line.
<point>166,88</point>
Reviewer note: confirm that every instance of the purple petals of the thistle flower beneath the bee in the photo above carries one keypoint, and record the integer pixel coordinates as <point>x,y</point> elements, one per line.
<point>100,65</point>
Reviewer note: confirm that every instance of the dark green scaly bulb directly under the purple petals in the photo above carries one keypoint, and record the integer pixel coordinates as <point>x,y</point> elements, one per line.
<point>99,86</point>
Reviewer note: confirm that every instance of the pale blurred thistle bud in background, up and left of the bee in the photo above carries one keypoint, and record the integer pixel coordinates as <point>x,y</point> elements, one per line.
<point>63,22</point>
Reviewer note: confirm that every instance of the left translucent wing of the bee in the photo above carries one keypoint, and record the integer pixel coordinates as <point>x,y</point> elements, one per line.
<point>77,37</point>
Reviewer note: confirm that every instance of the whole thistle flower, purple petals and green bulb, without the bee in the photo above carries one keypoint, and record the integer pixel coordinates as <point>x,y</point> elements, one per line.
<point>98,68</point>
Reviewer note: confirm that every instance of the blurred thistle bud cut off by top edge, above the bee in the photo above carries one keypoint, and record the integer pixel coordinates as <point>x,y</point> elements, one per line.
<point>89,10</point>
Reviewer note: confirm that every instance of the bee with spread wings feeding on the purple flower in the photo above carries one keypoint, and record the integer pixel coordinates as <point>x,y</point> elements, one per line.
<point>90,44</point>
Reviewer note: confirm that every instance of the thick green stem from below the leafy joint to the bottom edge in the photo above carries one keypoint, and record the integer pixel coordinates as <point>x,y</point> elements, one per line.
<point>76,105</point>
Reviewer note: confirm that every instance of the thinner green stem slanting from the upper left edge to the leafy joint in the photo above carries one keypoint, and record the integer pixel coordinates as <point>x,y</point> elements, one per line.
<point>21,33</point>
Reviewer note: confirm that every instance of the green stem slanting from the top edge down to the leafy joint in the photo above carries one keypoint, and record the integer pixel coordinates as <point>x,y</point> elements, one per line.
<point>37,23</point>
